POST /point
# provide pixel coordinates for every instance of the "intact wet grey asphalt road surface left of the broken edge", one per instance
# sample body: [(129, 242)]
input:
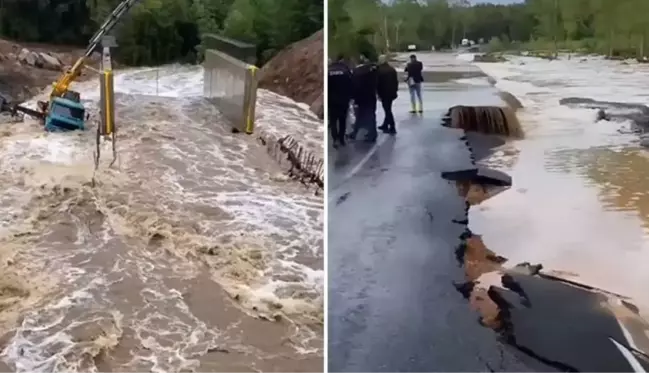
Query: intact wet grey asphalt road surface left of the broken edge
[(392, 306)]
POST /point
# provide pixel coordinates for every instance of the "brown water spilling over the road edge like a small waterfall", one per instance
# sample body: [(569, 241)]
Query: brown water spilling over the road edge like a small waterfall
[(490, 120)]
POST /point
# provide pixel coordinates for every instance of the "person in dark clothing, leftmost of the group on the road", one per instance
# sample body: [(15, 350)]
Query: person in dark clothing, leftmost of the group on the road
[(338, 99)]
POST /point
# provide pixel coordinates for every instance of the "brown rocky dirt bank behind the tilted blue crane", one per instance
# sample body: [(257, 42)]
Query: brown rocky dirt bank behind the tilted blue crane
[(27, 68)]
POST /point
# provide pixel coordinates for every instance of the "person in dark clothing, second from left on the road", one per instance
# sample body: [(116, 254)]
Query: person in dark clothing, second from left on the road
[(365, 81)]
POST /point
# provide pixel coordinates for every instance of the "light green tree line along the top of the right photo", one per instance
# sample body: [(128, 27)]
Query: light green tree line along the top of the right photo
[(612, 27)]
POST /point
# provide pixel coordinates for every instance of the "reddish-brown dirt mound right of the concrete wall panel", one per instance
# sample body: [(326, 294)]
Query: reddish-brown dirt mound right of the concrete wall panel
[(296, 72)]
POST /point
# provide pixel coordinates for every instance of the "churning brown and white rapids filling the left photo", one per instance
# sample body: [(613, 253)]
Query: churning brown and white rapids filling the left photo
[(122, 274)]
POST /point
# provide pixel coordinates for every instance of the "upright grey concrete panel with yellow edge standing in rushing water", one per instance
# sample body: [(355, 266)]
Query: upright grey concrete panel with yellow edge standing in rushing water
[(231, 85)]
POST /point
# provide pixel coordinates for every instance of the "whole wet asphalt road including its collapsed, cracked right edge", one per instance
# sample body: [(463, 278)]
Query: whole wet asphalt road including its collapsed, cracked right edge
[(412, 288)]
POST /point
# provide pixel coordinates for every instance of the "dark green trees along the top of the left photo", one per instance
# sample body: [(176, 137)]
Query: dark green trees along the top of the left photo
[(159, 31)]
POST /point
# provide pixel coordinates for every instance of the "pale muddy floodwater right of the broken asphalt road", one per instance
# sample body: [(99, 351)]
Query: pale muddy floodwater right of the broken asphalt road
[(579, 204)]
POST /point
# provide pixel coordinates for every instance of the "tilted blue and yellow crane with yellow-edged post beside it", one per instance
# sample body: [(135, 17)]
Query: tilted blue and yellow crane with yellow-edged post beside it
[(64, 110)]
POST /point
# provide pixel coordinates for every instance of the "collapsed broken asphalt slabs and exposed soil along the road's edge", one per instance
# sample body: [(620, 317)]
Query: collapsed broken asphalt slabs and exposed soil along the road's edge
[(566, 326)]
